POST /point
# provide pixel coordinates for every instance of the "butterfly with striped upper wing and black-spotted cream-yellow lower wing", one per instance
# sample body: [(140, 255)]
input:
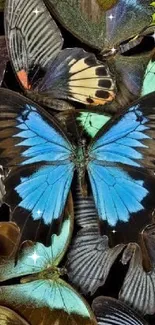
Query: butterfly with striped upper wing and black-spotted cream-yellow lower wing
[(46, 72)]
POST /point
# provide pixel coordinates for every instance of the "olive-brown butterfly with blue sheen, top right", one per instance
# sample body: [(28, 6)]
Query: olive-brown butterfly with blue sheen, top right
[(114, 28)]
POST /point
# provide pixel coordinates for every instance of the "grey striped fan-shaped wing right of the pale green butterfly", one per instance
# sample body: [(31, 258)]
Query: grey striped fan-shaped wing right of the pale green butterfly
[(90, 259)]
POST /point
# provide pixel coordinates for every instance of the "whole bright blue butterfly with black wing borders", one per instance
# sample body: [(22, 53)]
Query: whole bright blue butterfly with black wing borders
[(119, 162)]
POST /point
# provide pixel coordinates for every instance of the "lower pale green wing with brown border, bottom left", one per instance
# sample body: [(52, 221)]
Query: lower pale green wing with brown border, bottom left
[(48, 302)]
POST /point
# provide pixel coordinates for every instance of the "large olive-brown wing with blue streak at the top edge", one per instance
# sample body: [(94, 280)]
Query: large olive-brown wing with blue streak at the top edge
[(97, 25)]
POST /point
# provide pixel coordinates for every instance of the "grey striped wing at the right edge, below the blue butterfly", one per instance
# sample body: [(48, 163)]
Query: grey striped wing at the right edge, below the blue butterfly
[(138, 289)]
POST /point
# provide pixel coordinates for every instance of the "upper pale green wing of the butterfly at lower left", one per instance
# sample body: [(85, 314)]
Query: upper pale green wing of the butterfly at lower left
[(36, 258)]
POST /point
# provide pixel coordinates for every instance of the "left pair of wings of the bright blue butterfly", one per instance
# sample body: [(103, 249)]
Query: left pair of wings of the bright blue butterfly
[(39, 156)]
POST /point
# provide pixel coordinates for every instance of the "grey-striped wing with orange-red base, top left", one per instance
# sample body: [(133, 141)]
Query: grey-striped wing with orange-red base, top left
[(33, 38)]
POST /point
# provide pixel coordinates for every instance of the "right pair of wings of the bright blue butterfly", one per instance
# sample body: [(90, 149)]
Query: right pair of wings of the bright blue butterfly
[(121, 165)]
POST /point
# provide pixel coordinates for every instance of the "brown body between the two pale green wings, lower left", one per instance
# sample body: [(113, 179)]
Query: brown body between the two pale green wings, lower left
[(51, 273)]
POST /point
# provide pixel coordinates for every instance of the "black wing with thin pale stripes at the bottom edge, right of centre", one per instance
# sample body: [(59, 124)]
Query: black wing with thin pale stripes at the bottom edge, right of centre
[(111, 311)]
